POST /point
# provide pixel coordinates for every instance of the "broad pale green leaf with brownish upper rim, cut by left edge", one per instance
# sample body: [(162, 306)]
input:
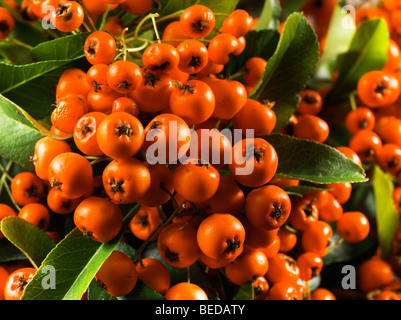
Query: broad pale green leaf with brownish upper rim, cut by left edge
[(18, 135)]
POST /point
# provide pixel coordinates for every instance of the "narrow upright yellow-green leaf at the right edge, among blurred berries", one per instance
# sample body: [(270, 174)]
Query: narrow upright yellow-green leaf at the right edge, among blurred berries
[(386, 213)]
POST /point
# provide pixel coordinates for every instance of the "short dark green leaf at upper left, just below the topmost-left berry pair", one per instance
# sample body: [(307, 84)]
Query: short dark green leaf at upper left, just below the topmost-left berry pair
[(65, 48)]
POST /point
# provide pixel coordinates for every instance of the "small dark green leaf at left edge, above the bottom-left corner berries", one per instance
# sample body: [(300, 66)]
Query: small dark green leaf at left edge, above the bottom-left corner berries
[(31, 240)]
